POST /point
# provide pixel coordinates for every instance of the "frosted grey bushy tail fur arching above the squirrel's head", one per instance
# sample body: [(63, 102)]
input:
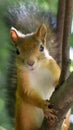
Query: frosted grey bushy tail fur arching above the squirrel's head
[(26, 17)]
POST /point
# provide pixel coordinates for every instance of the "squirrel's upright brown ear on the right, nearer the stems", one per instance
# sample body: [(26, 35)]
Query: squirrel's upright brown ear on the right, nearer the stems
[(41, 32)]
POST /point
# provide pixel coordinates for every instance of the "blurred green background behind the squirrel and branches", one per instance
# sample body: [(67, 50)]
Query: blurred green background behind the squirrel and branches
[(4, 53)]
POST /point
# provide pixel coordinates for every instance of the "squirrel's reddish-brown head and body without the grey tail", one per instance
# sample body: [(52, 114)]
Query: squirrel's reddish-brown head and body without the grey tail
[(37, 77)]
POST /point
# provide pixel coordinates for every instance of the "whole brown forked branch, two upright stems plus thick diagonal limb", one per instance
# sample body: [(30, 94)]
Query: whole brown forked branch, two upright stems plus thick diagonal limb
[(62, 98)]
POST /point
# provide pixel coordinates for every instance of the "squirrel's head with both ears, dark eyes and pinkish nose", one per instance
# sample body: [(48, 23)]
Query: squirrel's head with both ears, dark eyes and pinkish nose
[(30, 48)]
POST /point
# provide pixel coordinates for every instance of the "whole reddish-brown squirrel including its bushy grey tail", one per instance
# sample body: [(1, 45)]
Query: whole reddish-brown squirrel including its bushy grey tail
[(36, 71)]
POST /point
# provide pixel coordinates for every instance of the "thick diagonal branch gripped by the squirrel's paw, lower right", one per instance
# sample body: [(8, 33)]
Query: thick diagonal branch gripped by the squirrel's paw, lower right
[(62, 100)]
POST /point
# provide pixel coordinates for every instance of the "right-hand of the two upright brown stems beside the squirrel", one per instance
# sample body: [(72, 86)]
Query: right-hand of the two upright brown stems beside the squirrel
[(66, 36)]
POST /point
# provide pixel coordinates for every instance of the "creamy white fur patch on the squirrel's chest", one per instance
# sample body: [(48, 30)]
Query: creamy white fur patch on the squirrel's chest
[(42, 81)]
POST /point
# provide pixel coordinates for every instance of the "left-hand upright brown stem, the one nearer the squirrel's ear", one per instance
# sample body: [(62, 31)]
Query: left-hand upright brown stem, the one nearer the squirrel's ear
[(60, 27)]
